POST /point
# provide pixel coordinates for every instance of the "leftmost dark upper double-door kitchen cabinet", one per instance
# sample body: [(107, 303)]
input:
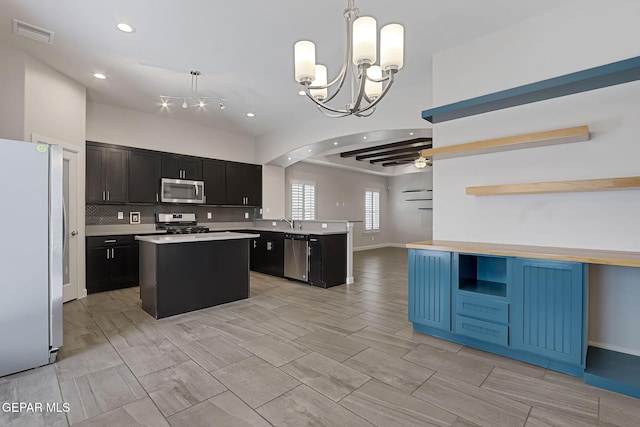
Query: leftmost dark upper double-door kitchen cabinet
[(106, 174)]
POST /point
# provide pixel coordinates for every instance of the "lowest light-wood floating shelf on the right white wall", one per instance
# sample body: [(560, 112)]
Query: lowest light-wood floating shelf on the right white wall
[(583, 185)]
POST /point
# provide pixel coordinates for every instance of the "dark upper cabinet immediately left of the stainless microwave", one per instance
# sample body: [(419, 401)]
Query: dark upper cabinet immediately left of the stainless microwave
[(145, 169)]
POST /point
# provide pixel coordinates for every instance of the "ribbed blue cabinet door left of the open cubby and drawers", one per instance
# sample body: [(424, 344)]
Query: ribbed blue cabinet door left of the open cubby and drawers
[(430, 288)]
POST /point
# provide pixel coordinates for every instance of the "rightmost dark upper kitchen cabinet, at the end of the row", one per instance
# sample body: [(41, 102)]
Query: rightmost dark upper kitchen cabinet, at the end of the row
[(243, 184)]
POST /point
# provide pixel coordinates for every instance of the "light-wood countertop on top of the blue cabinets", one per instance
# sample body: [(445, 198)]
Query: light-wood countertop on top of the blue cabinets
[(591, 256)]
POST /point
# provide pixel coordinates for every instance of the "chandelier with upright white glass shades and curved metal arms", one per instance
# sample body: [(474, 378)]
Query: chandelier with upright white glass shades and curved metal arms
[(369, 82)]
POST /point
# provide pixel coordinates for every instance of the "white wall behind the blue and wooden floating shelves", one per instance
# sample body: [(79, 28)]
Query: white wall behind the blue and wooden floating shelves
[(582, 35)]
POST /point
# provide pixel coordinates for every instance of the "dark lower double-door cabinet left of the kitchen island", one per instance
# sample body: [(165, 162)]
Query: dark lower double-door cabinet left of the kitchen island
[(112, 263)]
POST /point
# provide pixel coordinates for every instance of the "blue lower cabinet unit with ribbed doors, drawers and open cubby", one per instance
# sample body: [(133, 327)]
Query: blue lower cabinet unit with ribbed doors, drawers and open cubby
[(528, 309)]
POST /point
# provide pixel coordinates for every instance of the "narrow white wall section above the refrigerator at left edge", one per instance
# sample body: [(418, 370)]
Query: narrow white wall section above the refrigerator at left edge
[(12, 90)]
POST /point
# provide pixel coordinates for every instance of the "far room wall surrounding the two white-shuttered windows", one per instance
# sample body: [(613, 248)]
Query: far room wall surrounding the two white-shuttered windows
[(340, 196)]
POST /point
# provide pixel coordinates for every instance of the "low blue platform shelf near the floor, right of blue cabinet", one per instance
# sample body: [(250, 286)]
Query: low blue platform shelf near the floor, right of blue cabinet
[(613, 371)]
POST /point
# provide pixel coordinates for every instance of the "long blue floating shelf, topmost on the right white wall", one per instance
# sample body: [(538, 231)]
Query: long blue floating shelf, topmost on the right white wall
[(612, 74)]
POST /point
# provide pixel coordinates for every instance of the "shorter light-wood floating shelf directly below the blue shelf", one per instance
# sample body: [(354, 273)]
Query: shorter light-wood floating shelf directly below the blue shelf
[(516, 142)]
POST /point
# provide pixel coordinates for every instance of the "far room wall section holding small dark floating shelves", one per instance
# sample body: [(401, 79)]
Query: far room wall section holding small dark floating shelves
[(408, 223)]
